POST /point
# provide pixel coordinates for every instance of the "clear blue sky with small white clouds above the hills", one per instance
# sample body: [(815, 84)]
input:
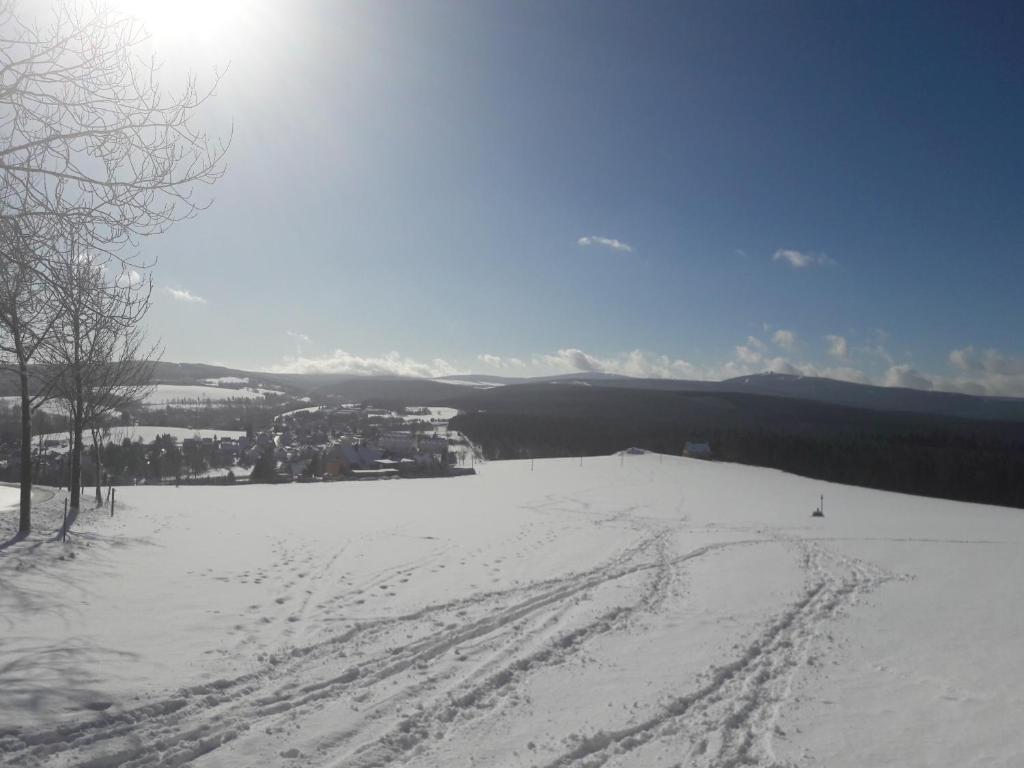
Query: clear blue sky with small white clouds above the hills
[(689, 190)]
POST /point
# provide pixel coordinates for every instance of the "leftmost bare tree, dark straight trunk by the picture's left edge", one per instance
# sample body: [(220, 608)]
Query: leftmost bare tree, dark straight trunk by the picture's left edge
[(27, 318)]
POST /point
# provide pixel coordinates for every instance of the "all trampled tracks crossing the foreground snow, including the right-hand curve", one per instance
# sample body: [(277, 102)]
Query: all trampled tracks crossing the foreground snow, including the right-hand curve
[(419, 677)]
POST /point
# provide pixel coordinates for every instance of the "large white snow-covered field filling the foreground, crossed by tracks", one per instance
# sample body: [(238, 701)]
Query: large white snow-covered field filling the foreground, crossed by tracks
[(634, 612)]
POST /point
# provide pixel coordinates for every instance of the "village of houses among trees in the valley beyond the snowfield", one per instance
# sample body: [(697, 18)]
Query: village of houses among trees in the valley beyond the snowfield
[(347, 442)]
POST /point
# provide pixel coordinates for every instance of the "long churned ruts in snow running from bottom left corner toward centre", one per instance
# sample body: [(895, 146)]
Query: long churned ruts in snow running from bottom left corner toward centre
[(180, 729)]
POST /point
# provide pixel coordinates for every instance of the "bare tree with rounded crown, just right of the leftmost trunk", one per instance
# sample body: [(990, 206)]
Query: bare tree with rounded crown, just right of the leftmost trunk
[(97, 352)]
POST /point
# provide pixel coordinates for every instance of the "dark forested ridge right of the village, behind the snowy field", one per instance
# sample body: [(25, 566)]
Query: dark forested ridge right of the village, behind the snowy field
[(965, 460)]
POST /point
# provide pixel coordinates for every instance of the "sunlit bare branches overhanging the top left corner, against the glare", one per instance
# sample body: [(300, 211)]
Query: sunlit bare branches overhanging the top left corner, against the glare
[(89, 138)]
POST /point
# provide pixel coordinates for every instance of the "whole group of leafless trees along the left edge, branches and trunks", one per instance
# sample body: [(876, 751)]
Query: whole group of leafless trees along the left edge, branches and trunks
[(95, 155)]
